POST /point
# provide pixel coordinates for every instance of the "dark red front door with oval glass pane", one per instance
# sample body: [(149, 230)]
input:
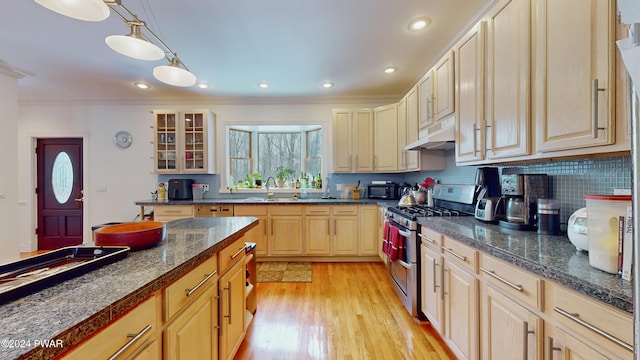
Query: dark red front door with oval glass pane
[(59, 167)]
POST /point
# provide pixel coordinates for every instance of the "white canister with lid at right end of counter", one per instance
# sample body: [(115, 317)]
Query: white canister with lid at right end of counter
[(603, 214)]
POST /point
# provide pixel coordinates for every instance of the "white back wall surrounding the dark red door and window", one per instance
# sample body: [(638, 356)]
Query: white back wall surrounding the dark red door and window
[(128, 174)]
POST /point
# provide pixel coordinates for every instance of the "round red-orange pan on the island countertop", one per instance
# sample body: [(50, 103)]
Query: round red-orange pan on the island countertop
[(136, 235)]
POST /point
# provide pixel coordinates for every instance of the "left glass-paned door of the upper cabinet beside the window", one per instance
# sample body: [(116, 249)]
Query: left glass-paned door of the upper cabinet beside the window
[(166, 149)]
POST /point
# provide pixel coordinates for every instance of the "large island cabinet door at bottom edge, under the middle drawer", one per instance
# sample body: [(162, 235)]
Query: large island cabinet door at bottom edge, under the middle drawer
[(194, 334)]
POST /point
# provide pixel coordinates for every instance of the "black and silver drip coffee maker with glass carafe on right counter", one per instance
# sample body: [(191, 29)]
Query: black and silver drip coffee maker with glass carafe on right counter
[(520, 194)]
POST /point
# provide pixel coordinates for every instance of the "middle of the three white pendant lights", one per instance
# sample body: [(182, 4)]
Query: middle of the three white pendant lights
[(135, 45)]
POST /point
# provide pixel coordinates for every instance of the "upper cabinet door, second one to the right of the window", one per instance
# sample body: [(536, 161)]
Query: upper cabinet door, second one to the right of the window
[(363, 139)]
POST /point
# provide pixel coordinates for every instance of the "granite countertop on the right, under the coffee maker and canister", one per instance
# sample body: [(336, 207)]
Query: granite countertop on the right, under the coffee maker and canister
[(551, 257)]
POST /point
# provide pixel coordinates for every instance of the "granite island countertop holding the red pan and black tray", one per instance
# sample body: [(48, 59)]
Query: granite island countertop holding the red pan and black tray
[(74, 309)]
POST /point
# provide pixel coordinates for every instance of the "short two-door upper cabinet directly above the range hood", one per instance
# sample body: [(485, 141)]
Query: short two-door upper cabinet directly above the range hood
[(436, 93)]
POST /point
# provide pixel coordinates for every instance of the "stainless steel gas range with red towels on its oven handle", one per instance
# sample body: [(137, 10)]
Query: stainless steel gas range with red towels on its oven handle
[(449, 200)]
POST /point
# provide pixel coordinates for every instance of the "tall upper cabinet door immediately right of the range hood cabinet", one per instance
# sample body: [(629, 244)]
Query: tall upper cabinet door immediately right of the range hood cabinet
[(470, 125)]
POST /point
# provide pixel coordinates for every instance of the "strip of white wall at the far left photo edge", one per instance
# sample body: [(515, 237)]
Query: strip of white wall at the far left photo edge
[(9, 207)]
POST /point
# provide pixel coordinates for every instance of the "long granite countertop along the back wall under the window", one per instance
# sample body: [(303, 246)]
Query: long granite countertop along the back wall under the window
[(261, 200)]
